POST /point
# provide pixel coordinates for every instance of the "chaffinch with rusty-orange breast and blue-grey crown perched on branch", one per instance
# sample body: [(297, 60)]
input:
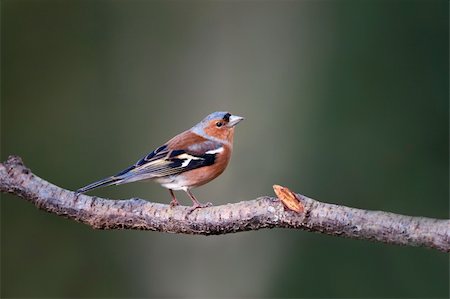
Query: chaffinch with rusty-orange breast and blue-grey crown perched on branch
[(188, 160)]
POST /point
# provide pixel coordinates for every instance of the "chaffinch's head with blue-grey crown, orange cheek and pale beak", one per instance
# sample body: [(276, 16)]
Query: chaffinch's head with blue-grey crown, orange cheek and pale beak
[(219, 125)]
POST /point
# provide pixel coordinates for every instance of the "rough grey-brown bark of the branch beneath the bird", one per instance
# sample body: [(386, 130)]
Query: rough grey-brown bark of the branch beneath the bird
[(263, 212)]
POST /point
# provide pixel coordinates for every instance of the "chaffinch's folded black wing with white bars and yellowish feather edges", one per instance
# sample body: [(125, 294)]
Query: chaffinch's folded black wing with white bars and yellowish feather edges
[(165, 161)]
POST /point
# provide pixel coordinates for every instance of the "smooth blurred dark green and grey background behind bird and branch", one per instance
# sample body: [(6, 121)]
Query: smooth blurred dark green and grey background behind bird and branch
[(345, 102)]
